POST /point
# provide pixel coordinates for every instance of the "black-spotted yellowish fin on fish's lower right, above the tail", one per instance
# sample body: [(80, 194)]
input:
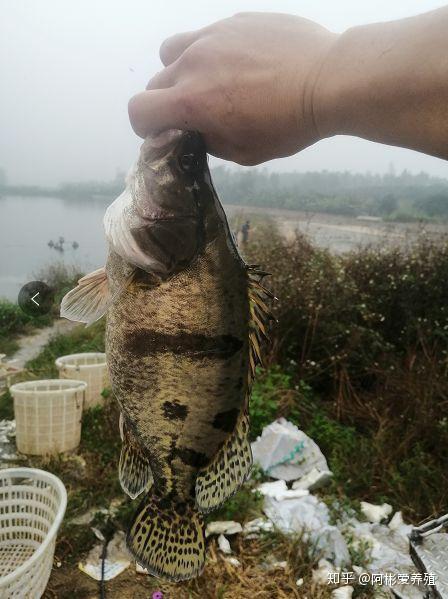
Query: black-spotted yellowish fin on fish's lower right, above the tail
[(228, 470)]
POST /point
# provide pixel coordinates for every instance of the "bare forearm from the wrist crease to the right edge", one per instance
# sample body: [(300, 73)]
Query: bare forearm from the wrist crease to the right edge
[(388, 82)]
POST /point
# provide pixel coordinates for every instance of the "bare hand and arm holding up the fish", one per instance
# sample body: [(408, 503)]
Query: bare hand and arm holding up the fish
[(260, 86)]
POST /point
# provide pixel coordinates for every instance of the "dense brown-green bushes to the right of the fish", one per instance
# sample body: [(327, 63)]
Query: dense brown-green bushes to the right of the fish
[(368, 332)]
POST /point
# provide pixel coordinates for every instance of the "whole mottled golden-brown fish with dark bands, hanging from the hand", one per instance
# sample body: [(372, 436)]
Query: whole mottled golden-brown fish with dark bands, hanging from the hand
[(186, 319)]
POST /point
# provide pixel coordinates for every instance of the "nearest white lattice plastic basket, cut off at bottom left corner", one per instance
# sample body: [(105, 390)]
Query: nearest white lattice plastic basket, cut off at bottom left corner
[(32, 506)]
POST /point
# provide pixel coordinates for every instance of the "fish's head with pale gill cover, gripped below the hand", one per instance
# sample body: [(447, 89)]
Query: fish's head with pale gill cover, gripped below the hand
[(157, 223)]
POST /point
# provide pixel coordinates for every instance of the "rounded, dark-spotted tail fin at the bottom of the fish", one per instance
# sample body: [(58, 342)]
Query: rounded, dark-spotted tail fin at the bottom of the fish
[(167, 538)]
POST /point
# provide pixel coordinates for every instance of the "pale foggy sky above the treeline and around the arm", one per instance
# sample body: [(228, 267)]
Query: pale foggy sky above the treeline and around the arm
[(68, 69)]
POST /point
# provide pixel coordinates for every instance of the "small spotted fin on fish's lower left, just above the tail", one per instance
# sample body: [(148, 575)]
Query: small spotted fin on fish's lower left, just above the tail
[(134, 470)]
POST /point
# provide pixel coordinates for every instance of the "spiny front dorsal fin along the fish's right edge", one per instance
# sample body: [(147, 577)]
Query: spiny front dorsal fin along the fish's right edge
[(260, 316)]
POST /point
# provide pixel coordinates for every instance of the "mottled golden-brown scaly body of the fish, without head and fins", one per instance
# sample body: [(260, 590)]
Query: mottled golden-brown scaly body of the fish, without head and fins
[(192, 380)]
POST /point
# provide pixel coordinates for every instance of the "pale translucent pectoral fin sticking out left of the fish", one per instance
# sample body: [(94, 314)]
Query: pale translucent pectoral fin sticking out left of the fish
[(89, 300)]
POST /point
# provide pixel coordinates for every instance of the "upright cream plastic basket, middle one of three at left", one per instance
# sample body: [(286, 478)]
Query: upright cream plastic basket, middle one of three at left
[(48, 415)]
